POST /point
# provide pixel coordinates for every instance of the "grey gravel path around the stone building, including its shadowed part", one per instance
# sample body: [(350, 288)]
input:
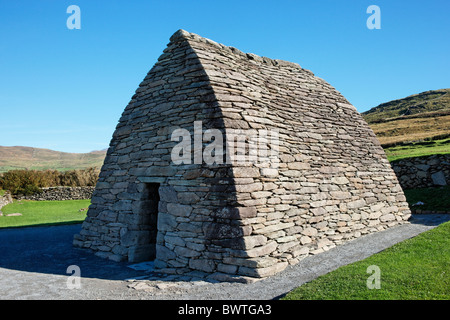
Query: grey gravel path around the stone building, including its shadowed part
[(34, 262)]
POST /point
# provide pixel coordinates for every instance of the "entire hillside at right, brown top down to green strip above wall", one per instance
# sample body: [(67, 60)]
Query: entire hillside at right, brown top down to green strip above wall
[(414, 126)]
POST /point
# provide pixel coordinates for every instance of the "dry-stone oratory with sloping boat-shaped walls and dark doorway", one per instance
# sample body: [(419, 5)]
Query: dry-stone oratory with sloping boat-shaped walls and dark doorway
[(172, 189)]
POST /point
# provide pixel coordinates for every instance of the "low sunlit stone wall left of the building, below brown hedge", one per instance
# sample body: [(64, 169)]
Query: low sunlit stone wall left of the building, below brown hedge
[(61, 193)]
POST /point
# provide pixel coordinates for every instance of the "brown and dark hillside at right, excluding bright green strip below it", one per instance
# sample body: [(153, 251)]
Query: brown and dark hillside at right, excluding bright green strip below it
[(419, 117)]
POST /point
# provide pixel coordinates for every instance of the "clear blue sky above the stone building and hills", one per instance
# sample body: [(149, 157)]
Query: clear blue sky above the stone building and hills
[(66, 89)]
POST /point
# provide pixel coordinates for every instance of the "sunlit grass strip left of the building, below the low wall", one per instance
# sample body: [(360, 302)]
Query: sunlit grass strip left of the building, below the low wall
[(43, 213)]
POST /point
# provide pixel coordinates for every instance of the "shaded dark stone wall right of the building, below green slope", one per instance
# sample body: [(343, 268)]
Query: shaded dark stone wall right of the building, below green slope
[(423, 172)]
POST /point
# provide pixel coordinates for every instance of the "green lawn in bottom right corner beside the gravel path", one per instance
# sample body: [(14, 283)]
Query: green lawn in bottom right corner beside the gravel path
[(415, 269)]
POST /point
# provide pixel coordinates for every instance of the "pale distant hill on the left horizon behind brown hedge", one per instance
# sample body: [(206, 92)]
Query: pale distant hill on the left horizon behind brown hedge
[(42, 159)]
